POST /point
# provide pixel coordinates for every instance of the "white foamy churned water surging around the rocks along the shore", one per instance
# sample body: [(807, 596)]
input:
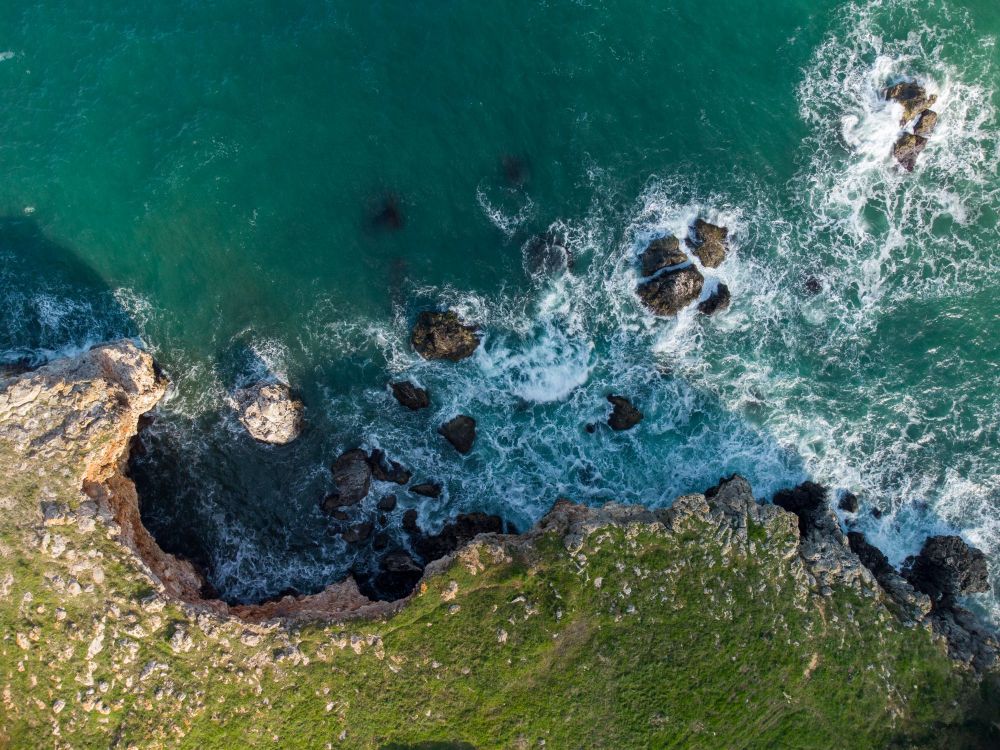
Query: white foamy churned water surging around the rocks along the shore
[(783, 386)]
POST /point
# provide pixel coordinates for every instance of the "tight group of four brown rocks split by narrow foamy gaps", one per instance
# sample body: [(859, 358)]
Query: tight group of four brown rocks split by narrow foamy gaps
[(671, 282)]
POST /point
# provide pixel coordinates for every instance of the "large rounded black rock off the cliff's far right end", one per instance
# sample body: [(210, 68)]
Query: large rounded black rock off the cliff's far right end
[(947, 567)]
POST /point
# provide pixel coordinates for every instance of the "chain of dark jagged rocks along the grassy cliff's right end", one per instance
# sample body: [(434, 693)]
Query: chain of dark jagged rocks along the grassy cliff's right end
[(924, 590)]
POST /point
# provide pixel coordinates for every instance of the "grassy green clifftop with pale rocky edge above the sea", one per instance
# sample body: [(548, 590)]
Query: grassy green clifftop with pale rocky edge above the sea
[(719, 622)]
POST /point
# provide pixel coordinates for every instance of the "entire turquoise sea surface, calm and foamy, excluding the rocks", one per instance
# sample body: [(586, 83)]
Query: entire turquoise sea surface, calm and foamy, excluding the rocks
[(205, 176)]
